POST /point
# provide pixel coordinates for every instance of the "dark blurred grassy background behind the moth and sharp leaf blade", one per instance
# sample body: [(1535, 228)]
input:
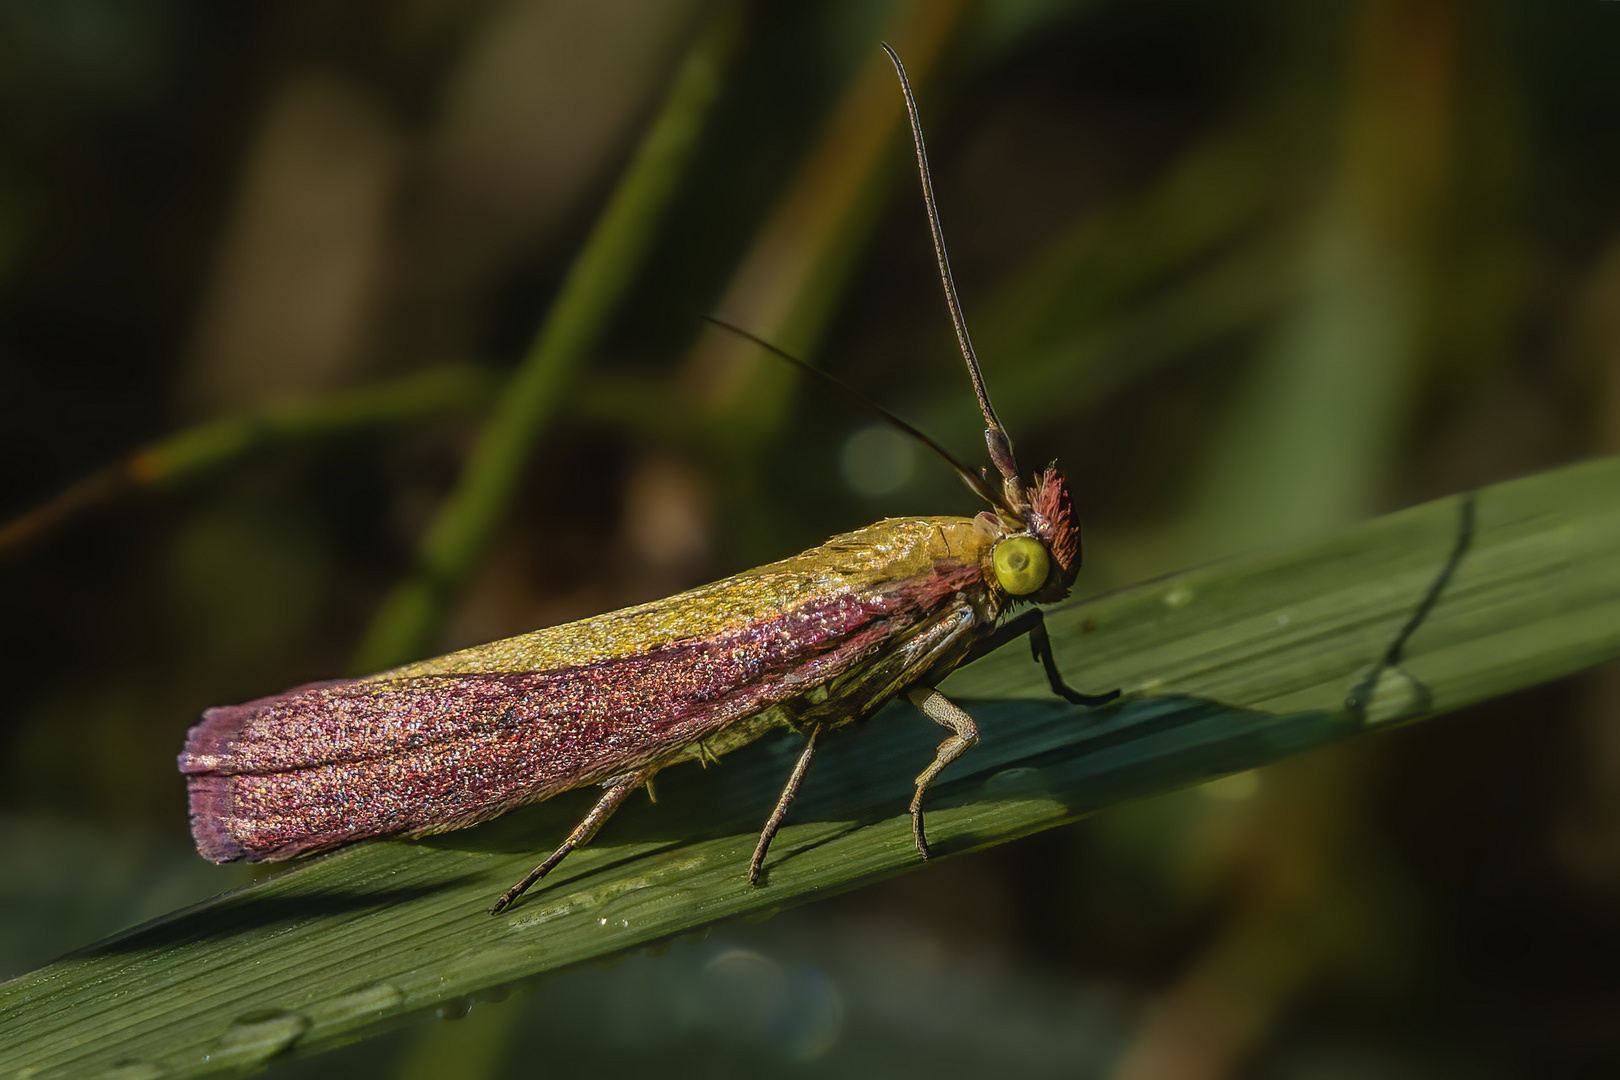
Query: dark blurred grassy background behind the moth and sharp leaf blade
[(1250, 271)]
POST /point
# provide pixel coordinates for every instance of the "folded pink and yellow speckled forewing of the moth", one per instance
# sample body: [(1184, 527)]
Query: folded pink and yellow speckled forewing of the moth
[(459, 739)]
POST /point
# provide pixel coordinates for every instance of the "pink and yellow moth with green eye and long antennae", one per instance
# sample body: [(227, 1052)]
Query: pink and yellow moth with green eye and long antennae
[(812, 644)]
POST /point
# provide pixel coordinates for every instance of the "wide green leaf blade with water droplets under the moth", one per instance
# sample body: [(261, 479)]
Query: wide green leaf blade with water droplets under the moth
[(1226, 668)]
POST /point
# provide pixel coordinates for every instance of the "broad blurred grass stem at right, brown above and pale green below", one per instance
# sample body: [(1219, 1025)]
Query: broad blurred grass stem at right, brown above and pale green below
[(1311, 444)]
